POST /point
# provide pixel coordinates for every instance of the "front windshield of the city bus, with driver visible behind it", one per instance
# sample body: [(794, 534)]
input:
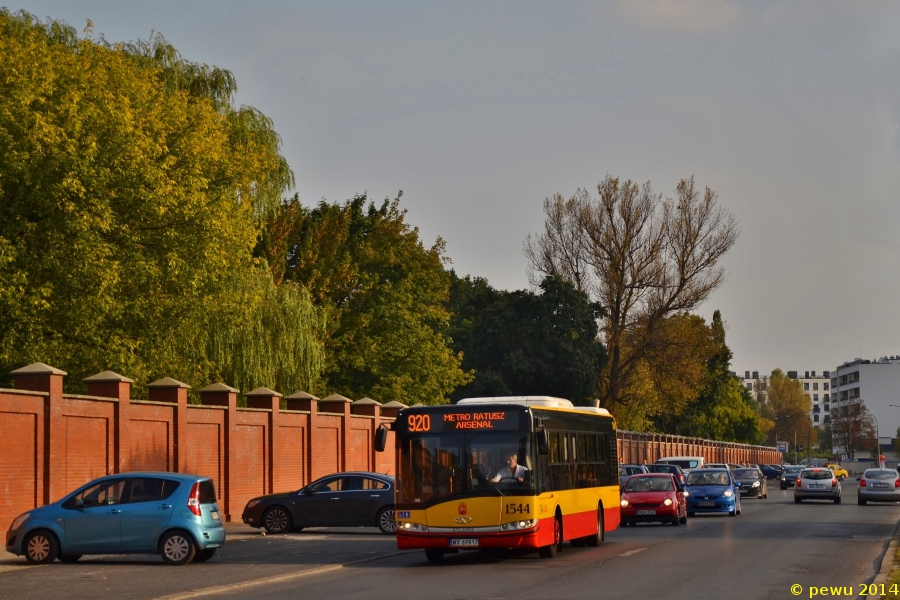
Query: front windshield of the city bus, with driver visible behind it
[(441, 466)]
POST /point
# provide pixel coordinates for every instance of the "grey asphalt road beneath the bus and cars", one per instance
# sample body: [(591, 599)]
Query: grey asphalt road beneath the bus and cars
[(759, 554)]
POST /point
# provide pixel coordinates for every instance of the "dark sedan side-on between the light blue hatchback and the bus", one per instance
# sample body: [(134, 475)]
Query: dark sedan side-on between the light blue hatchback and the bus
[(351, 499)]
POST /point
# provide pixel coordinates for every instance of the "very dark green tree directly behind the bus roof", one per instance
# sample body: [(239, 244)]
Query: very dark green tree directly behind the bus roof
[(521, 343)]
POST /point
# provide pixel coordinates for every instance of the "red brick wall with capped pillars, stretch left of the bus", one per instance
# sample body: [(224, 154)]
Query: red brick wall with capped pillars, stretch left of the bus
[(54, 442)]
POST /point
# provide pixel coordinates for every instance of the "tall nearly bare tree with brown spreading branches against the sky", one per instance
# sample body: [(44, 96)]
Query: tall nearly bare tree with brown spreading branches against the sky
[(642, 257)]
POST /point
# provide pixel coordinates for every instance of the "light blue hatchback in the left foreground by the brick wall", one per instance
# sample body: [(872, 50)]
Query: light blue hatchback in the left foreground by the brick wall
[(170, 514)]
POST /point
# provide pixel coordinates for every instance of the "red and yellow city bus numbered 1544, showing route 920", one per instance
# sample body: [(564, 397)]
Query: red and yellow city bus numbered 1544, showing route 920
[(509, 472)]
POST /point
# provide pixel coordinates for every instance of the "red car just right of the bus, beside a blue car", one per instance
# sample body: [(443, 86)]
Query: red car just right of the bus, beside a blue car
[(653, 497)]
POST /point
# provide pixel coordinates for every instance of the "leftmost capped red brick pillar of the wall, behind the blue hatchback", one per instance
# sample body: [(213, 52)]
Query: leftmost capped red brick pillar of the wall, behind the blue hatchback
[(39, 377)]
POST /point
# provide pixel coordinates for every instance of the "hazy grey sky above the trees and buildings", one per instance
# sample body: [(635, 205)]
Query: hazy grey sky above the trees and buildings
[(479, 110)]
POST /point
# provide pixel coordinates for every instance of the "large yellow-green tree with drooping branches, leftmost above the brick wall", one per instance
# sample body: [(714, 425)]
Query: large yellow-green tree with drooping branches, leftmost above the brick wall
[(132, 191)]
